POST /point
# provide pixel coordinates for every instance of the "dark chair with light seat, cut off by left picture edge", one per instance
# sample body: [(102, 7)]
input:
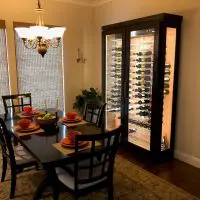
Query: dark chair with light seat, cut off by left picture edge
[(9, 157)]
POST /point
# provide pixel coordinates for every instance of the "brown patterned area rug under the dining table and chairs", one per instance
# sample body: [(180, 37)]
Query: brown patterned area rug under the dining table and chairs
[(146, 185)]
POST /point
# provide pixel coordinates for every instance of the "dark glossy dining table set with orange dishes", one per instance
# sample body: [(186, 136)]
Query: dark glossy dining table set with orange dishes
[(41, 147)]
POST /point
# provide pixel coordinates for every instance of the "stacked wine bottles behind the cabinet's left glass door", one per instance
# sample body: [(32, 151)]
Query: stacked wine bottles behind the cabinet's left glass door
[(114, 67)]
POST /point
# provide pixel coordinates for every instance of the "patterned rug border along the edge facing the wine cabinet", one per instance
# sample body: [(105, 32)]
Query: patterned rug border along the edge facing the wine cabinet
[(155, 177)]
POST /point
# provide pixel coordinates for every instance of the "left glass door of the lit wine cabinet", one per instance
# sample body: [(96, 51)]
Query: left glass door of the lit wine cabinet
[(113, 80)]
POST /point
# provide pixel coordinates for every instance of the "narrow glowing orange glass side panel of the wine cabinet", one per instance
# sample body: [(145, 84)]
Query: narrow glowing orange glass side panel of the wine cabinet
[(168, 88)]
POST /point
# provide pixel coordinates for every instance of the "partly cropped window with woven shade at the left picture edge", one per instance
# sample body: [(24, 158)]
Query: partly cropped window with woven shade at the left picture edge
[(4, 77)]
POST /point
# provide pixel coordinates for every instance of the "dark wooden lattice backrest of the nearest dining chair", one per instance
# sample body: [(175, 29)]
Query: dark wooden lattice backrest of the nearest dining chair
[(101, 157)]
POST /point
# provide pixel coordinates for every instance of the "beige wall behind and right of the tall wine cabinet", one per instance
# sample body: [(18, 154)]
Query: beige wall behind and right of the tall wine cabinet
[(187, 129)]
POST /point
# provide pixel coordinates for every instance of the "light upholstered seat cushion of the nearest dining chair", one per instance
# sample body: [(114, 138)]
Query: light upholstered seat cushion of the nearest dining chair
[(65, 175)]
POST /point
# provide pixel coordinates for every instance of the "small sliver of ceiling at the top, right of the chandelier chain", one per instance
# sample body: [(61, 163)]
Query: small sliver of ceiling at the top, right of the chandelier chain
[(86, 2)]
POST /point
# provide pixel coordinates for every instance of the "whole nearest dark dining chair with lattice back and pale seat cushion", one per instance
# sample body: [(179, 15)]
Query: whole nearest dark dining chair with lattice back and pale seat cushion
[(88, 172)]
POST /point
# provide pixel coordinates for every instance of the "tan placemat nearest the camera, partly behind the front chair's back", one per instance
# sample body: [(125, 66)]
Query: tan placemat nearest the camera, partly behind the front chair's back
[(67, 151)]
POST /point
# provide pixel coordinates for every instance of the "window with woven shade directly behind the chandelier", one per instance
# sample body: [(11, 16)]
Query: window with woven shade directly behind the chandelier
[(42, 77)]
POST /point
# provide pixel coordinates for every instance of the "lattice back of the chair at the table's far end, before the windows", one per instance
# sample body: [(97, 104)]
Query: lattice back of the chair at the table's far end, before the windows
[(17, 101)]
